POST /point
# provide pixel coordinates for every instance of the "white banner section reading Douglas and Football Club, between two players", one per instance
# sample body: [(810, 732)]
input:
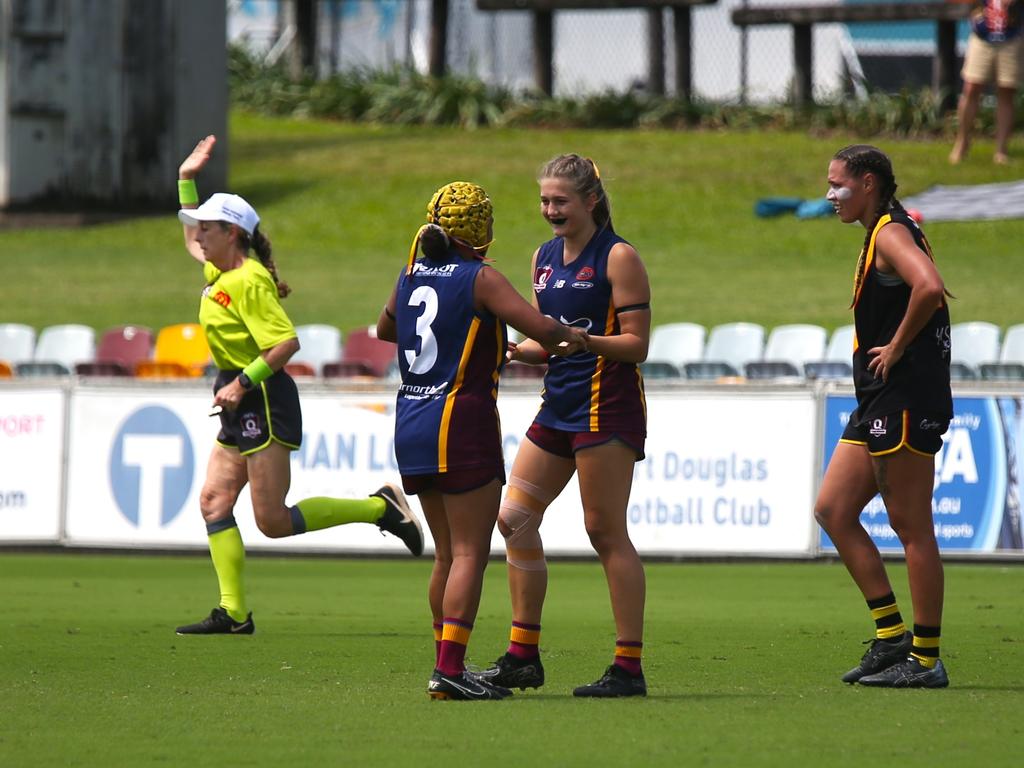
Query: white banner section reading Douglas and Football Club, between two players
[(730, 475)]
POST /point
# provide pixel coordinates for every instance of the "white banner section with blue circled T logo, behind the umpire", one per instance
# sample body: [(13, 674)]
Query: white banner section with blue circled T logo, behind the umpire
[(138, 462)]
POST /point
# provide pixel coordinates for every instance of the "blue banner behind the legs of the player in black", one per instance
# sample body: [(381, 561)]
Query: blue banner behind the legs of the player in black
[(976, 502)]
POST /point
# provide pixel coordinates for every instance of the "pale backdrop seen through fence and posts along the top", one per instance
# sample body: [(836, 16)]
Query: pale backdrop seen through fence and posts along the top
[(601, 51)]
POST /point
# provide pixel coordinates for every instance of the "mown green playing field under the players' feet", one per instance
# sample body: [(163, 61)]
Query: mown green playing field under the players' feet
[(743, 663)]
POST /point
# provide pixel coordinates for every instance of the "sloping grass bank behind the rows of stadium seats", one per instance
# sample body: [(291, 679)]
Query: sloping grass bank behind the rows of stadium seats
[(343, 202)]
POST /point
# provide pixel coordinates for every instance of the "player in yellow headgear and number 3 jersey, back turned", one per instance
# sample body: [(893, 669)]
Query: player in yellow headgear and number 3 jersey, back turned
[(448, 315)]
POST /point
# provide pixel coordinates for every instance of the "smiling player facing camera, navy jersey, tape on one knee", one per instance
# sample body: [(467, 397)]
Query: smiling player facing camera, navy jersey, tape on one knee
[(592, 422)]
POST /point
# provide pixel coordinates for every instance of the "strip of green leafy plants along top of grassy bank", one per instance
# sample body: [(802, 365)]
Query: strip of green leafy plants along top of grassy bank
[(404, 97)]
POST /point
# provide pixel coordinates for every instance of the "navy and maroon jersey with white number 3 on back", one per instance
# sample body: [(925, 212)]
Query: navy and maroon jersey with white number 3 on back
[(451, 357)]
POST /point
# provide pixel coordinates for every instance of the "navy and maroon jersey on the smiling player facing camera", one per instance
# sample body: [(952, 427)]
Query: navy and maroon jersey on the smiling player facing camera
[(586, 393)]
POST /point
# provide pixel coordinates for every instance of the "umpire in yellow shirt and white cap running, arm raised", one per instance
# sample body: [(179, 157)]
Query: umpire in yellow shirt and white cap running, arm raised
[(251, 339)]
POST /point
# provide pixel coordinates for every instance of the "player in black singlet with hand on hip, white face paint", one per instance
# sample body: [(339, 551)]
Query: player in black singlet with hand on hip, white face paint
[(902, 376)]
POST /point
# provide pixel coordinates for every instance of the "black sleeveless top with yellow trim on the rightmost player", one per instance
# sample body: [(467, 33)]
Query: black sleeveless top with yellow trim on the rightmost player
[(921, 379)]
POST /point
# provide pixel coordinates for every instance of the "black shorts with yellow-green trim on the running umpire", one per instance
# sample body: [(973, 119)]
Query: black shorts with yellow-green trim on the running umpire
[(270, 412)]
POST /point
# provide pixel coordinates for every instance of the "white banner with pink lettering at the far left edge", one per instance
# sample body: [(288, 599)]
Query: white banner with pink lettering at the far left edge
[(32, 425)]
